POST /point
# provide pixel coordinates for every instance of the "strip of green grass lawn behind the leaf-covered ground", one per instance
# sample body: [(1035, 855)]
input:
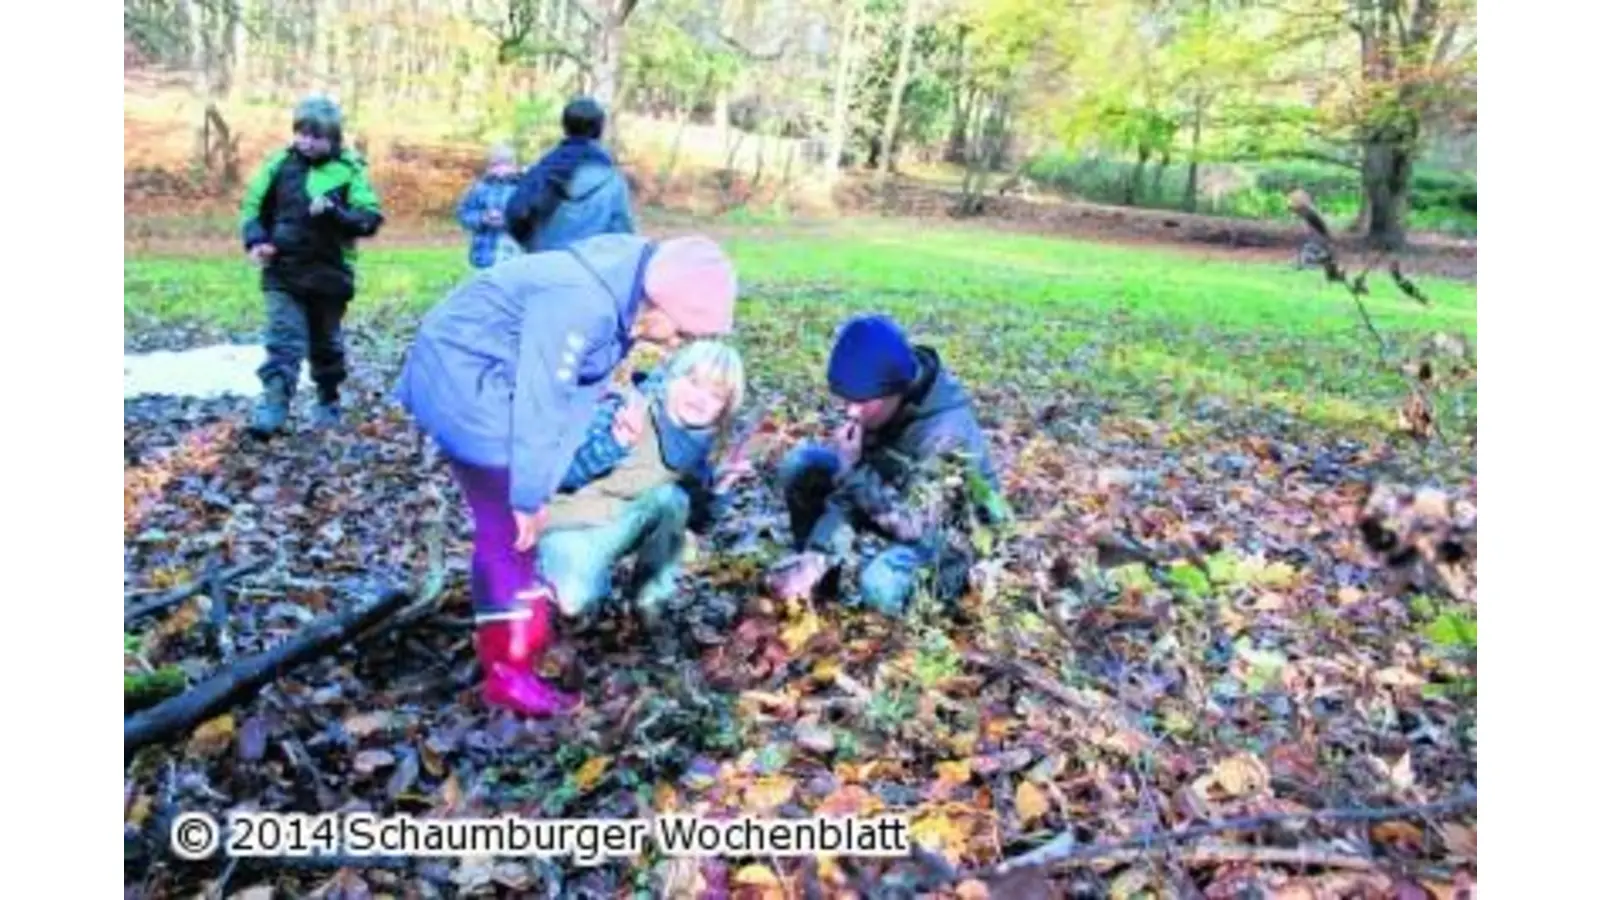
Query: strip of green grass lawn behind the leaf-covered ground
[(1154, 331)]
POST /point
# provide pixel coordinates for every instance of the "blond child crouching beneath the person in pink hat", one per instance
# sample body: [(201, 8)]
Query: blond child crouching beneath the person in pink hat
[(641, 481)]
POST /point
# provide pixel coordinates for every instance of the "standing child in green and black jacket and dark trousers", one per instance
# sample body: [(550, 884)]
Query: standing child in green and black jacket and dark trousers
[(303, 212)]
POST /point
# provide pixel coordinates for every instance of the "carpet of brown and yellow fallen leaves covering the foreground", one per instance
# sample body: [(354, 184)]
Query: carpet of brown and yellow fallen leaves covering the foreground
[(1137, 701)]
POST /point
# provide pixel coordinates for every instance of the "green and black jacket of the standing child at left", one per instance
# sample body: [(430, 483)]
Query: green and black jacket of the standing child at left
[(314, 254)]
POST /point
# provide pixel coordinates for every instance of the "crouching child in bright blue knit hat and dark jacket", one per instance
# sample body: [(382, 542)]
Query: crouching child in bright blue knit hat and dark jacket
[(905, 414)]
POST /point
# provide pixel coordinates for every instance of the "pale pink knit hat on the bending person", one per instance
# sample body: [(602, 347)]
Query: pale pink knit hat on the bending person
[(692, 281)]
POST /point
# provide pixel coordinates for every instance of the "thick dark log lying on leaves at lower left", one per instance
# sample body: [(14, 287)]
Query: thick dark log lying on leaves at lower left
[(247, 677)]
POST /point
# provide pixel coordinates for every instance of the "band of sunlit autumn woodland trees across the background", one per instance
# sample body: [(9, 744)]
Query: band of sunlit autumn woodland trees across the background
[(1122, 90)]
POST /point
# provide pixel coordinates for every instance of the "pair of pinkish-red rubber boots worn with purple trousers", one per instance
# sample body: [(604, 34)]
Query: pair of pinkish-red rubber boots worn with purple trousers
[(510, 648)]
